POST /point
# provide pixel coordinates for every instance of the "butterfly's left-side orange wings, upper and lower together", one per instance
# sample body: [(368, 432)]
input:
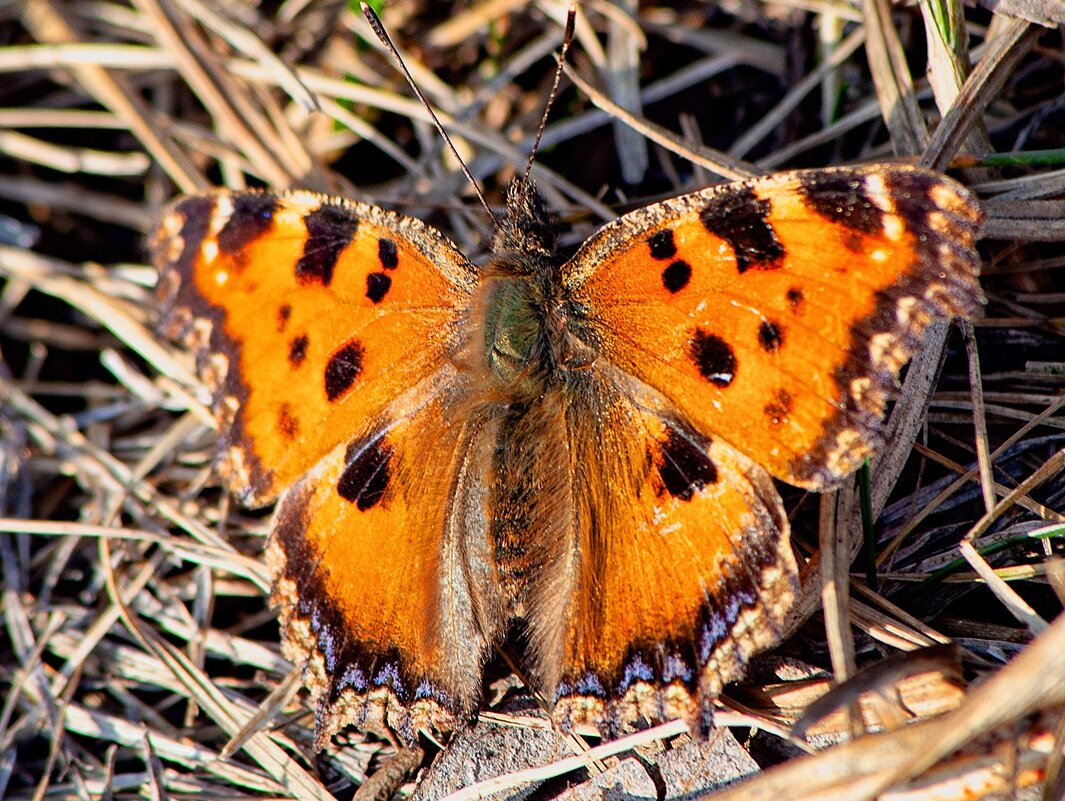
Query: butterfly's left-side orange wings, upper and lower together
[(327, 331)]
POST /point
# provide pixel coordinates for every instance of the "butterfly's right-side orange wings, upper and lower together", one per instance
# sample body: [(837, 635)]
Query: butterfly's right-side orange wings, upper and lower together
[(744, 332)]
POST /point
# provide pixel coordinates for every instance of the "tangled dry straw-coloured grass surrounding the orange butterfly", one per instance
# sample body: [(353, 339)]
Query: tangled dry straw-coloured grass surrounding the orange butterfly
[(138, 639)]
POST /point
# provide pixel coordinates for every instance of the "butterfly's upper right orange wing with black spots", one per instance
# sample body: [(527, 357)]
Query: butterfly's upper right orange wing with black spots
[(776, 314)]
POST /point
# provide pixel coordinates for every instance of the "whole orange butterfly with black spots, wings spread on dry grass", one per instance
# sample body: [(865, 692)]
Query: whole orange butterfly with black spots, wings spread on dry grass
[(579, 453)]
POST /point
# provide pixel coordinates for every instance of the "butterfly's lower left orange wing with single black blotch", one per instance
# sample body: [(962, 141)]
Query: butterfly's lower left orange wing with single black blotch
[(372, 550)]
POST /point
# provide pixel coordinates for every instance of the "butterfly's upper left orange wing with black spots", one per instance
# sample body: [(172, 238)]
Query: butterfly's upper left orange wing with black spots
[(313, 316)]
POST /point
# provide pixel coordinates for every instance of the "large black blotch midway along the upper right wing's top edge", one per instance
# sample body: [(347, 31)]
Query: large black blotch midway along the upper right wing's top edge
[(742, 219)]
